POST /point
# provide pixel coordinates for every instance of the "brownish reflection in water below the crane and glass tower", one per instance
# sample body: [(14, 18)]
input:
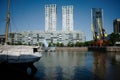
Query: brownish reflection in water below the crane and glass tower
[(100, 64)]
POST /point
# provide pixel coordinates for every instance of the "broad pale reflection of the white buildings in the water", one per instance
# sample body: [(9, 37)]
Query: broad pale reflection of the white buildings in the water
[(61, 65)]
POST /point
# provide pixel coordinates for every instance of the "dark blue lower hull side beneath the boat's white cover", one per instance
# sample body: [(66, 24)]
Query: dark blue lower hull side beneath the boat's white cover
[(19, 59)]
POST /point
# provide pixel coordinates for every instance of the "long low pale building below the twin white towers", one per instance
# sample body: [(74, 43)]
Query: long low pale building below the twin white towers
[(35, 37)]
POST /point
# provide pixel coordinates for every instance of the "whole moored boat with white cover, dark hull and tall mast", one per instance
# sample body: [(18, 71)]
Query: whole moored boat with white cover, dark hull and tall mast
[(14, 54)]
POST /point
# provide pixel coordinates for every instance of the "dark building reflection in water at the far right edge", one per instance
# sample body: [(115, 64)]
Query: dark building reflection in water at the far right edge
[(114, 69)]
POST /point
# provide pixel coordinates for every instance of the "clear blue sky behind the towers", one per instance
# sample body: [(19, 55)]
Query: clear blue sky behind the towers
[(30, 14)]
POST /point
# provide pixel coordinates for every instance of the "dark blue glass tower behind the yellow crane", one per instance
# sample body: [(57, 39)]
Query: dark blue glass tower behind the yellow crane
[(97, 23)]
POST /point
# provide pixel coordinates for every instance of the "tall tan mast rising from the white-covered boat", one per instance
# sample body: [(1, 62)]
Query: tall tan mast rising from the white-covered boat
[(7, 23)]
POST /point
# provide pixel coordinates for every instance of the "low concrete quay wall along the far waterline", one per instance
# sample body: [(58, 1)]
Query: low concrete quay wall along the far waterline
[(106, 48)]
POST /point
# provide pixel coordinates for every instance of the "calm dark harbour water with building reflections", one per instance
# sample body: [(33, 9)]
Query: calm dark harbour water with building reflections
[(72, 66)]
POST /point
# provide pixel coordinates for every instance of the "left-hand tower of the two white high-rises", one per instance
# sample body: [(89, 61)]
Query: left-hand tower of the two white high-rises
[(50, 17)]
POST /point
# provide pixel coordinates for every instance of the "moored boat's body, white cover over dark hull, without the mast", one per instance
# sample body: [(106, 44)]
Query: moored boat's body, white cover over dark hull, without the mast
[(19, 54)]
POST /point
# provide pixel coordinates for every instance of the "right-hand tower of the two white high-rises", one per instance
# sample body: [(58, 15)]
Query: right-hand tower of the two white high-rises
[(67, 18)]
